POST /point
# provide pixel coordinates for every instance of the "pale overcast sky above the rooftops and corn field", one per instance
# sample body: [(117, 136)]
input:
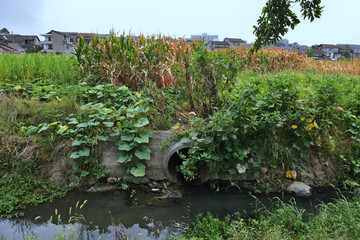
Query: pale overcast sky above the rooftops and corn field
[(226, 18)]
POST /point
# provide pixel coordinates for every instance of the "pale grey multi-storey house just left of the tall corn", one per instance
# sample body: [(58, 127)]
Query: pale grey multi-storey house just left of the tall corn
[(59, 42)]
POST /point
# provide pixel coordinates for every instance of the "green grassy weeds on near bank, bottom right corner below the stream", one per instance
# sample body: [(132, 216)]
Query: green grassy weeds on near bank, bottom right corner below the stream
[(337, 220)]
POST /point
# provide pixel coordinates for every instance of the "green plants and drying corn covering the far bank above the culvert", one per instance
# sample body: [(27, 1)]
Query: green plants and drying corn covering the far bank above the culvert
[(246, 116)]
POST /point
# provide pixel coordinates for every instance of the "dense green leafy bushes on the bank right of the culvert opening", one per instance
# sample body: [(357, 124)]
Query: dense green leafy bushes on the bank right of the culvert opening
[(277, 120)]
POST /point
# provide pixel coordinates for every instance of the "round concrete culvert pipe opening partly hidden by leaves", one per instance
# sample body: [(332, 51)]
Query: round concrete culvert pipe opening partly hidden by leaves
[(172, 161)]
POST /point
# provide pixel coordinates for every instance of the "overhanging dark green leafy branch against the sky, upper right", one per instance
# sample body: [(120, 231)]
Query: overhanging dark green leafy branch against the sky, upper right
[(277, 16)]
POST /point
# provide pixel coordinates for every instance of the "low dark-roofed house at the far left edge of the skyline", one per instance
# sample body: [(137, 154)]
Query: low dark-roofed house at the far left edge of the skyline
[(20, 42)]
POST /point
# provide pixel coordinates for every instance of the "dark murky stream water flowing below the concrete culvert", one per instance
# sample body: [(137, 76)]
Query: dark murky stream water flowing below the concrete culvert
[(108, 213)]
